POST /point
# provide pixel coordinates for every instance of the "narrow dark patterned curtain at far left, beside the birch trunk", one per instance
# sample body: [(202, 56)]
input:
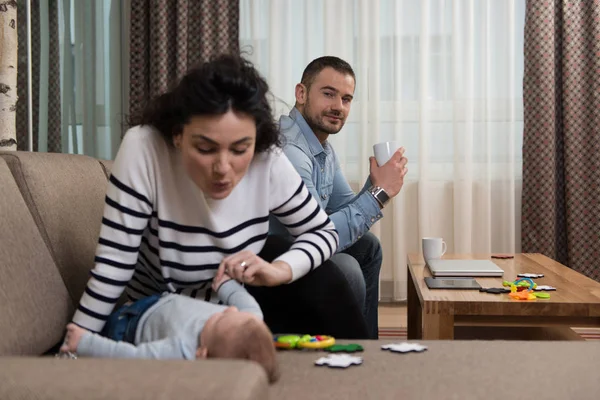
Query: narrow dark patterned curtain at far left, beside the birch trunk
[(53, 100)]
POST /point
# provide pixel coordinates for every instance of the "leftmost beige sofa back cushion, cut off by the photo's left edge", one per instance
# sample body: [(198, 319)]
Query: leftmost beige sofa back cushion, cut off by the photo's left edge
[(34, 302)]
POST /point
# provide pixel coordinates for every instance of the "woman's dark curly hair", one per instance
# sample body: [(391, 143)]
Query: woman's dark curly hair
[(223, 83)]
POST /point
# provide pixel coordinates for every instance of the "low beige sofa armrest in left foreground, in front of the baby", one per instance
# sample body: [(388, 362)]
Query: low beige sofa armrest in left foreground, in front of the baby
[(94, 379)]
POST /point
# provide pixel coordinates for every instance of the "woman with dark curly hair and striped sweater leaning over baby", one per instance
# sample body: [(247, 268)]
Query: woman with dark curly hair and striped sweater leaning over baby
[(189, 199)]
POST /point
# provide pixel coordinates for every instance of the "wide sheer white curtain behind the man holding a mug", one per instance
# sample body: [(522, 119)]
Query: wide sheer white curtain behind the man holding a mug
[(444, 79)]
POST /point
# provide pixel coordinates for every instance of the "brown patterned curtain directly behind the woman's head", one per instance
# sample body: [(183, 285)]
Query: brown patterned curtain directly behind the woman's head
[(170, 36)]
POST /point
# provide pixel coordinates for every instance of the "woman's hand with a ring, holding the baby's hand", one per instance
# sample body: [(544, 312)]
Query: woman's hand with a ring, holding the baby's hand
[(248, 268)]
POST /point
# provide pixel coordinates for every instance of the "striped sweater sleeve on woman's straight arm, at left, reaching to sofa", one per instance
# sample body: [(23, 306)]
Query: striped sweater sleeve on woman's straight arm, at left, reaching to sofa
[(127, 210)]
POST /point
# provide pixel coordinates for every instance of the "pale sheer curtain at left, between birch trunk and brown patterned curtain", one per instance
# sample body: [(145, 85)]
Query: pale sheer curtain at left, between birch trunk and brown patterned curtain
[(93, 66)]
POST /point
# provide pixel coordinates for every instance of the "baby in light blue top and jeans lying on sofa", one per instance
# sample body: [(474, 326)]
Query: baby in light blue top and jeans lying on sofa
[(173, 326)]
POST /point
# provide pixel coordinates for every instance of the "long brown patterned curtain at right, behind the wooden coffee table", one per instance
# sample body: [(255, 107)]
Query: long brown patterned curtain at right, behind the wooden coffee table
[(561, 148)]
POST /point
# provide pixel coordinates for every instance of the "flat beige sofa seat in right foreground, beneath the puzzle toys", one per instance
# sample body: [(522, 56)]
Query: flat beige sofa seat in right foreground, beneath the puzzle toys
[(491, 370)]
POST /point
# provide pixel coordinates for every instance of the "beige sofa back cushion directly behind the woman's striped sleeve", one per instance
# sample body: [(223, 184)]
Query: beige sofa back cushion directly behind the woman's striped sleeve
[(65, 194)]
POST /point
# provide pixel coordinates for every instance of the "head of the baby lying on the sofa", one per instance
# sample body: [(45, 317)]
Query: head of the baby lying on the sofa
[(235, 334)]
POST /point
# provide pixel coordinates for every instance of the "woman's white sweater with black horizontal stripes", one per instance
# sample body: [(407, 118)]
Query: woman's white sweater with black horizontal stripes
[(160, 233)]
